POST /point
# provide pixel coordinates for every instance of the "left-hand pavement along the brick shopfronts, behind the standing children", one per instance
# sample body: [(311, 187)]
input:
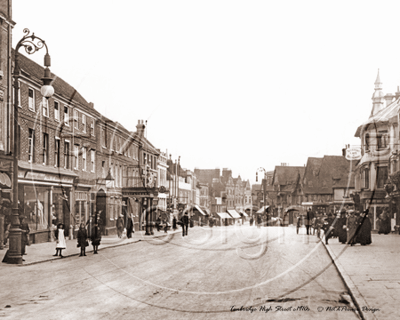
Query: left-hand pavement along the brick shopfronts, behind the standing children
[(43, 252)]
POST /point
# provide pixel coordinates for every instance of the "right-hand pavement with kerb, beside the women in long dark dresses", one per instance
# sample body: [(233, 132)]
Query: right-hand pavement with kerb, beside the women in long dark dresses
[(372, 274)]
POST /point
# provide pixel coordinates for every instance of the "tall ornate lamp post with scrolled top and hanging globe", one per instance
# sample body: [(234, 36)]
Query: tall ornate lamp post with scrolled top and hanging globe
[(31, 43)]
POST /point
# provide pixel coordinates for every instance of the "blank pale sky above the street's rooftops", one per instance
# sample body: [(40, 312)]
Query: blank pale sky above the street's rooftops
[(225, 84)]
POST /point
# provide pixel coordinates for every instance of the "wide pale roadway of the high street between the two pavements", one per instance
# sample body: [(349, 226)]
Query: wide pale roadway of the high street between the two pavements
[(208, 274)]
